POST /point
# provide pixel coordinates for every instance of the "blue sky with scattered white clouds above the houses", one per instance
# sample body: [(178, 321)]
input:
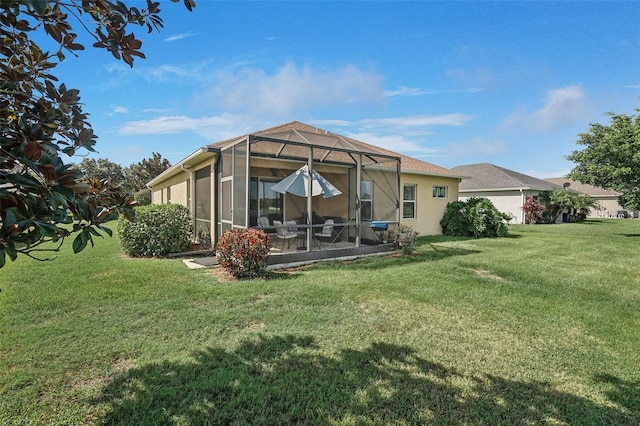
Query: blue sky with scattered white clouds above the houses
[(450, 83)]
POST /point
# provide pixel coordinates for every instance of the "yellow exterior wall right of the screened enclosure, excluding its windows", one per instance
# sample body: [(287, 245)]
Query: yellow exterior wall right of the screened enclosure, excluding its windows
[(429, 210)]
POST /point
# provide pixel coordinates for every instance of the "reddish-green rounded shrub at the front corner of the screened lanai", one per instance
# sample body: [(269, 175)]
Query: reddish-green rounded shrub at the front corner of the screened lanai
[(244, 252)]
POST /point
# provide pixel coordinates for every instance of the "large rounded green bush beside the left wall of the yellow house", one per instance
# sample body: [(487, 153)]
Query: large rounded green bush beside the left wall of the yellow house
[(158, 229)]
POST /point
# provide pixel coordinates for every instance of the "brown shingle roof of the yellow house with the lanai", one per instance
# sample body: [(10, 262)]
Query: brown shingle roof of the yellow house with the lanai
[(296, 129)]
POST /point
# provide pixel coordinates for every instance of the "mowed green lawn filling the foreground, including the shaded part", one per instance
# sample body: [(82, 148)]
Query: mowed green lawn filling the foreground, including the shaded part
[(542, 327)]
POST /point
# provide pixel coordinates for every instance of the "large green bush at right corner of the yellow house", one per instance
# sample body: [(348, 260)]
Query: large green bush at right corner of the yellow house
[(476, 217)]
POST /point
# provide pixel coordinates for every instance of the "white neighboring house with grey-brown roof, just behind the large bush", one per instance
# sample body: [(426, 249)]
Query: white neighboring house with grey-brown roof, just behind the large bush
[(506, 189)]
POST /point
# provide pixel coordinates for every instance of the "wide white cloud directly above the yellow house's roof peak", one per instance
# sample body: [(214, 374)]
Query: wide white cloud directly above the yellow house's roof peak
[(292, 89)]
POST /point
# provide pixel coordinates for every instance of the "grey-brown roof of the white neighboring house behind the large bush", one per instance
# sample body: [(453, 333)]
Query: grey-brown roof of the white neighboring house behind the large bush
[(488, 177)]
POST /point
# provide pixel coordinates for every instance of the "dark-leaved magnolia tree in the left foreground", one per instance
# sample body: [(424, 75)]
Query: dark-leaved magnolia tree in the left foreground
[(42, 120)]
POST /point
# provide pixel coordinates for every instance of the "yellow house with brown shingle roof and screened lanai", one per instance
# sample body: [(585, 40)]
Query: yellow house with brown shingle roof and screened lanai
[(229, 185)]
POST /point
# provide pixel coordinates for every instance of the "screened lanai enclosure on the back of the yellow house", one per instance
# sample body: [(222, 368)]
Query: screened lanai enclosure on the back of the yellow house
[(367, 183)]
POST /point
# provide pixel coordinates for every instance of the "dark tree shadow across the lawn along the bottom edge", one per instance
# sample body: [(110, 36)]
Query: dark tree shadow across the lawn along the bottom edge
[(287, 380)]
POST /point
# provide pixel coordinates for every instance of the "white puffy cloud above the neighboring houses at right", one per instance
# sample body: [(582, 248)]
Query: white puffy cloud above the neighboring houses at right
[(563, 106)]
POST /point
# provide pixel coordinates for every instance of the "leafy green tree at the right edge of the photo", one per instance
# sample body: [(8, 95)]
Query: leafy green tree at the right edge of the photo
[(611, 158)]
